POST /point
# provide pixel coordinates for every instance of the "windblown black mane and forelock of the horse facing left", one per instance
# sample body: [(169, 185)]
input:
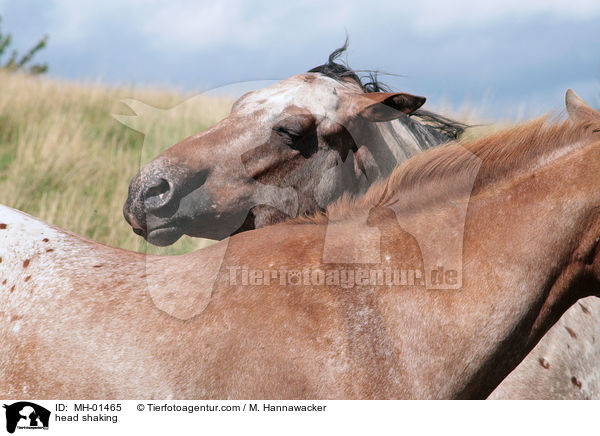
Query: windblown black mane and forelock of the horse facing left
[(370, 83)]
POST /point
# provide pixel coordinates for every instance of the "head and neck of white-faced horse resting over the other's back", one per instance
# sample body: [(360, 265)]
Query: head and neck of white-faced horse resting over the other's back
[(284, 151)]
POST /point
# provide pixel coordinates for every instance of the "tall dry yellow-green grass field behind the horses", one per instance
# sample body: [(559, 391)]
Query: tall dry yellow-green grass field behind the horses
[(65, 159)]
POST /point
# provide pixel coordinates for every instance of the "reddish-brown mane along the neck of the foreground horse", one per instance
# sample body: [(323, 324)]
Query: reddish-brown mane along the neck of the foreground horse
[(444, 173)]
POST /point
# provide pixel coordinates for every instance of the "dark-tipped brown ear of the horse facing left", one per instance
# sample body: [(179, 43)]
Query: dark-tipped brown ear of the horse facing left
[(387, 106)]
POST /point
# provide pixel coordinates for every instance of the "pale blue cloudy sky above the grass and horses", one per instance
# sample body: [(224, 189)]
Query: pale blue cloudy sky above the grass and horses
[(507, 58)]
